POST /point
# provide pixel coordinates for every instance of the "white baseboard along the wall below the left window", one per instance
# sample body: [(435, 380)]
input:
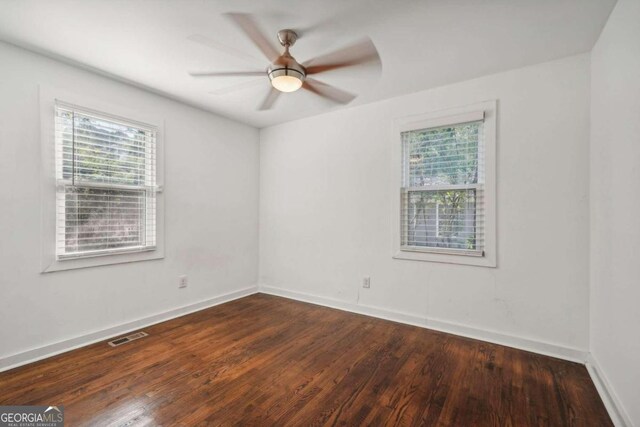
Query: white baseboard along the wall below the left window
[(33, 355)]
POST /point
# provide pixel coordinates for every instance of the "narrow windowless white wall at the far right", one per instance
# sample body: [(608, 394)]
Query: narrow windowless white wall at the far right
[(615, 206)]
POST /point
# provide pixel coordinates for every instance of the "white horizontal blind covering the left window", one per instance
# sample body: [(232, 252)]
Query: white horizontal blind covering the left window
[(106, 183)]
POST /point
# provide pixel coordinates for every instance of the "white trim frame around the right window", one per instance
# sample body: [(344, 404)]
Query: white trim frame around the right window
[(443, 118)]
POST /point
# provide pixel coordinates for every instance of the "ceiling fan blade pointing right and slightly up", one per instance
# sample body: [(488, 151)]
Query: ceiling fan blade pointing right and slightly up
[(362, 52)]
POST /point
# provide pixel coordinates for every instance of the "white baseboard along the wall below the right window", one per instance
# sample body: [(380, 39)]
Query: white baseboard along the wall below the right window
[(547, 349)]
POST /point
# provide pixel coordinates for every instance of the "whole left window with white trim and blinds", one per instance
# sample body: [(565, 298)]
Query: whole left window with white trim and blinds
[(102, 170)]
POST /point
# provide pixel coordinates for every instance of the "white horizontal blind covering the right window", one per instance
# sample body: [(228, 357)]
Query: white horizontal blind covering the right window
[(442, 206)]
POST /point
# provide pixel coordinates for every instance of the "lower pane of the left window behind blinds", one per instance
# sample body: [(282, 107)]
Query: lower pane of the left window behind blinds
[(101, 219)]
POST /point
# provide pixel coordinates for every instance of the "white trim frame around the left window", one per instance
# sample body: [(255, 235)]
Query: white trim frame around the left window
[(49, 262)]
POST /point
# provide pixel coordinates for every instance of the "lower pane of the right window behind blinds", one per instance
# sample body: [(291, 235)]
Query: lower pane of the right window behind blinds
[(440, 219)]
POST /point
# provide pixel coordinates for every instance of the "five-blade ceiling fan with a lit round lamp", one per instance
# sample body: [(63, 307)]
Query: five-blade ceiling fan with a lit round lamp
[(288, 75)]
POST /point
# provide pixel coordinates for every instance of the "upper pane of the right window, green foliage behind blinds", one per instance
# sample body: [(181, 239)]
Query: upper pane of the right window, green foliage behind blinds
[(441, 156)]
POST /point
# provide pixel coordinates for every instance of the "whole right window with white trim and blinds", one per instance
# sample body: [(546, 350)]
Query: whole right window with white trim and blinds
[(446, 208)]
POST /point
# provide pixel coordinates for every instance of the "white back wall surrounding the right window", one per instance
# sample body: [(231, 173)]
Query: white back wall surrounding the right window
[(325, 198)]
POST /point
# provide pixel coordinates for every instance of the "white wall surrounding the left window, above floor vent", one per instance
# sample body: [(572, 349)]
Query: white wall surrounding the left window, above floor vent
[(211, 199)]
